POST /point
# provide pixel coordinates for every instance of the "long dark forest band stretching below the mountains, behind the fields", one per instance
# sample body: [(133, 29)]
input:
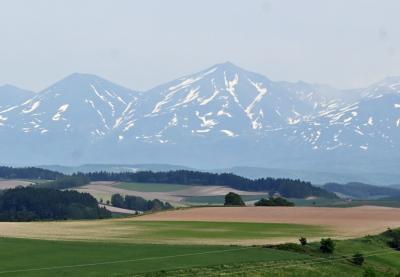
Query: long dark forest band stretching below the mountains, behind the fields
[(286, 187)]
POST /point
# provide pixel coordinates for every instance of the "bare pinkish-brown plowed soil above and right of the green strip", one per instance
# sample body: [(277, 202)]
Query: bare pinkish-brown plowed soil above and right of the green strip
[(346, 222)]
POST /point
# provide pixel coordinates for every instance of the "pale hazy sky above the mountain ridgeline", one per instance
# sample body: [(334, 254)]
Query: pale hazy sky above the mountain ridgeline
[(139, 44)]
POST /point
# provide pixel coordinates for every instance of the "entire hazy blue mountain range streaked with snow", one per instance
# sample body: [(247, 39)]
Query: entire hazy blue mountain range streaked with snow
[(220, 117)]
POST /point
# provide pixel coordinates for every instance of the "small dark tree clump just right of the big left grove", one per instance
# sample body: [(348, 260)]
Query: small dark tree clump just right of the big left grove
[(138, 203)]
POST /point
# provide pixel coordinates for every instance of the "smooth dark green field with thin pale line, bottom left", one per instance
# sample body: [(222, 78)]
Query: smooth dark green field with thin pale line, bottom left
[(56, 258)]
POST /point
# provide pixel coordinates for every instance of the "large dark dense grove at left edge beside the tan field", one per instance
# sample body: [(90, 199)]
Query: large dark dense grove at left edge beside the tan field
[(30, 203)]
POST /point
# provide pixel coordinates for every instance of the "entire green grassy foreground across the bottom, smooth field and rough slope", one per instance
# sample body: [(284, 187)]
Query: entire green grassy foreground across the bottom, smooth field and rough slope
[(59, 258)]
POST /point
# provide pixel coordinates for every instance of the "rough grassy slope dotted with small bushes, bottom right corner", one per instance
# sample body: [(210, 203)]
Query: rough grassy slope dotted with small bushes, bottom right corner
[(380, 261)]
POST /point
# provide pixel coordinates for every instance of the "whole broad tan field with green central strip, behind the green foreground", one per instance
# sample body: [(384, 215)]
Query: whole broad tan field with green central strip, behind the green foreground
[(217, 225)]
